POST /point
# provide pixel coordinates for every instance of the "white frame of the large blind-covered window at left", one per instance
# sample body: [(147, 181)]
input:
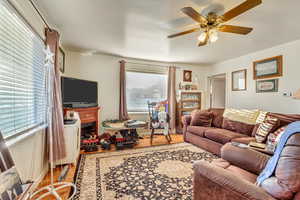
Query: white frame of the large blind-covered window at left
[(43, 125)]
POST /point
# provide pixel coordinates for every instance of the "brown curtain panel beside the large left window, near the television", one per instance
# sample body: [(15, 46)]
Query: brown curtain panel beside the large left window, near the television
[(57, 125)]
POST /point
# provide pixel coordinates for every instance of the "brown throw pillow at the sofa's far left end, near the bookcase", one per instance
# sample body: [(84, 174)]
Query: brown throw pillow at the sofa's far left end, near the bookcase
[(201, 118)]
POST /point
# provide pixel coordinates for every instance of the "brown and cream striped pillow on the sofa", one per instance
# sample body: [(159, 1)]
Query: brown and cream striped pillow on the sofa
[(265, 128)]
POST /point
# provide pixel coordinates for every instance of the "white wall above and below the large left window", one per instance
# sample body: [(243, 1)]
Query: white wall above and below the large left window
[(29, 153)]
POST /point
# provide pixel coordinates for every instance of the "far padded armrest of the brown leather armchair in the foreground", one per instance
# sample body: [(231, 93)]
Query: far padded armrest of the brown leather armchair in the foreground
[(244, 158)]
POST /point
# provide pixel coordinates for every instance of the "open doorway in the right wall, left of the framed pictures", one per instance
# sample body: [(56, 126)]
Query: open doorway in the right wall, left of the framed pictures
[(217, 91)]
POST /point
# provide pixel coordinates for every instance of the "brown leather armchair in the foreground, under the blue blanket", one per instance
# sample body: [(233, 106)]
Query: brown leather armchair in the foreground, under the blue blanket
[(233, 176)]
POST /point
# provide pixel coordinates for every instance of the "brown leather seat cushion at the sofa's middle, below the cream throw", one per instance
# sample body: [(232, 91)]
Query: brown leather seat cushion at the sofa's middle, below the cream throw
[(221, 135)]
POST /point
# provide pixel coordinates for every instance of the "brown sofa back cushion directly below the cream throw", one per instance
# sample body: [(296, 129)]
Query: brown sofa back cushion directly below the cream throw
[(238, 127)]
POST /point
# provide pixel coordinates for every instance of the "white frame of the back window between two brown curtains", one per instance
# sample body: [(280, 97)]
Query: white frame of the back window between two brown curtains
[(156, 72)]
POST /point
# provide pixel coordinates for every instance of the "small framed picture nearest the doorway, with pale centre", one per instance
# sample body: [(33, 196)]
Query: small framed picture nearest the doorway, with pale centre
[(239, 80)]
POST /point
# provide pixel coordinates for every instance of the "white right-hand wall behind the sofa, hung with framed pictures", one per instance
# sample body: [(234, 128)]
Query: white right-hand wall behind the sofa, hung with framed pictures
[(274, 102)]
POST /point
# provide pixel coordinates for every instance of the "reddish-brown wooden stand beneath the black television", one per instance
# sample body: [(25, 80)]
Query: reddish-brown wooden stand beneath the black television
[(89, 119)]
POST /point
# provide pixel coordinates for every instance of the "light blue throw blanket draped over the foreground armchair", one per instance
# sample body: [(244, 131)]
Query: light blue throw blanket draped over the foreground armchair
[(272, 163)]
